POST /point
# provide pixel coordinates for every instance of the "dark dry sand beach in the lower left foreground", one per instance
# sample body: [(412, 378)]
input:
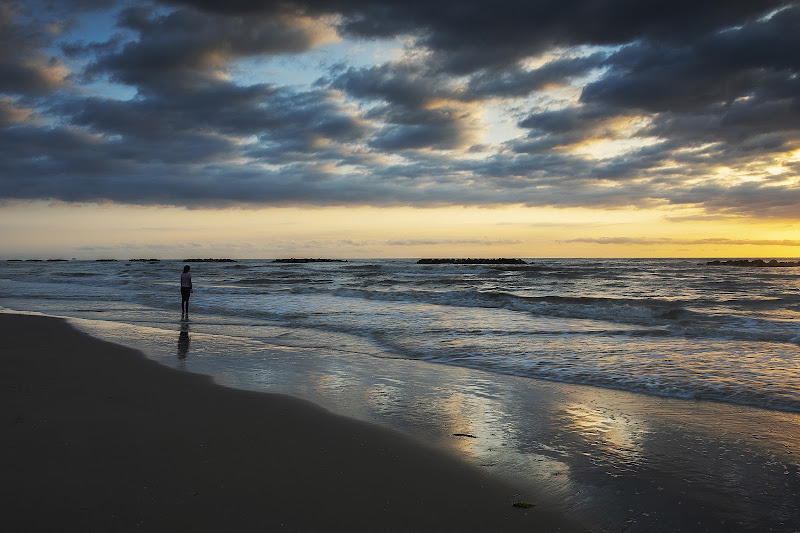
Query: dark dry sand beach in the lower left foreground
[(98, 437)]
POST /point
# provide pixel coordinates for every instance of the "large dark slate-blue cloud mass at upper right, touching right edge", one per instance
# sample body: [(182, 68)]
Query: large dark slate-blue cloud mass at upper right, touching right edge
[(735, 84)]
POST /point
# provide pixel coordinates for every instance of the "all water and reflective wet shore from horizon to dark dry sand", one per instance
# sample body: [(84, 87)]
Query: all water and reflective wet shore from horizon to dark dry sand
[(408, 345)]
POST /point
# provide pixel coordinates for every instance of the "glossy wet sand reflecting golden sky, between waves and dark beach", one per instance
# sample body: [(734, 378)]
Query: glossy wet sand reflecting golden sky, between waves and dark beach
[(620, 460)]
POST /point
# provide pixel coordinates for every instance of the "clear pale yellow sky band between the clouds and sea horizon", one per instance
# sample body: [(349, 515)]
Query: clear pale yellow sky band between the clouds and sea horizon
[(124, 232)]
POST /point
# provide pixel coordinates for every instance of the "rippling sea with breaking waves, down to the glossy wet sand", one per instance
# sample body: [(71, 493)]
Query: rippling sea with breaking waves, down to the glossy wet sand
[(674, 328)]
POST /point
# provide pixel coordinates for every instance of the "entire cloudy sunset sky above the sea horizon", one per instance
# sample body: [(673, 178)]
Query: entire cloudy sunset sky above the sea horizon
[(400, 128)]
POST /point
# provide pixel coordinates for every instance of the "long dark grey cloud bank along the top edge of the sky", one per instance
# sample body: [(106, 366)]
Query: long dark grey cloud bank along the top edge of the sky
[(471, 35)]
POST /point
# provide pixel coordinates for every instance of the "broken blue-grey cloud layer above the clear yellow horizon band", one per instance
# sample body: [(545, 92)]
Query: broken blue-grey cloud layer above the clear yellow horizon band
[(684, 88)]
